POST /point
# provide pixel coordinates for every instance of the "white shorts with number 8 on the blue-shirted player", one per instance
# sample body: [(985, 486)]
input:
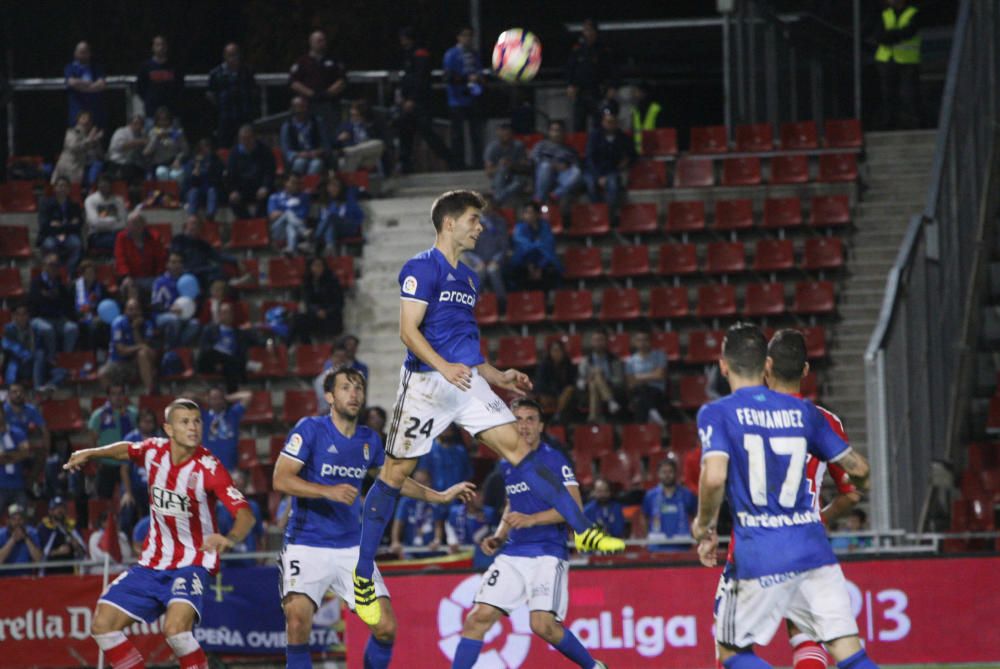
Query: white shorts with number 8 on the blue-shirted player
[(541, 582)]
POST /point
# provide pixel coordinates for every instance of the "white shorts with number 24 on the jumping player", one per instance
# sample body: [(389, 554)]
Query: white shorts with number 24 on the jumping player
[(426, 404)]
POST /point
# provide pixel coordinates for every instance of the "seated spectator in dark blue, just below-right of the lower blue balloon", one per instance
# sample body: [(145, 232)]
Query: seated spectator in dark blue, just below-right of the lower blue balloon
[(131, 353)]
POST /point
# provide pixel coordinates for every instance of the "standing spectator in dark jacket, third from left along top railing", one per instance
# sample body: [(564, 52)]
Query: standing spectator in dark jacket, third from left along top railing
[(231, 89)]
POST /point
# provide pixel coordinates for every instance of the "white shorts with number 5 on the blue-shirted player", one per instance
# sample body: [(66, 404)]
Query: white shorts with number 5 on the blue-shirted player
[(311, 571)]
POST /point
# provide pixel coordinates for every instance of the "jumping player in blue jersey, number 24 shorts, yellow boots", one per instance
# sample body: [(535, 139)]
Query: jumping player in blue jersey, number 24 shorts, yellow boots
[(445, 379)]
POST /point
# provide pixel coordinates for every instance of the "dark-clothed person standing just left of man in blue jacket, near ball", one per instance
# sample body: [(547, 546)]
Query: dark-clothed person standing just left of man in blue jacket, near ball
[(414, 96)]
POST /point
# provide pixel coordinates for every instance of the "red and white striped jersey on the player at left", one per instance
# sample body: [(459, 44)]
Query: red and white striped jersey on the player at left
[(181, 502)]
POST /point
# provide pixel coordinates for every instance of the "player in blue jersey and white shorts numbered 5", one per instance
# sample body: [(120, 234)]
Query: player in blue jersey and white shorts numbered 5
[(322, 466)]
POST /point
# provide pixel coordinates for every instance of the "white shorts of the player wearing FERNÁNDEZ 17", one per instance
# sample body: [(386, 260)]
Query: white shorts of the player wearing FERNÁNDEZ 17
[(749, 611)]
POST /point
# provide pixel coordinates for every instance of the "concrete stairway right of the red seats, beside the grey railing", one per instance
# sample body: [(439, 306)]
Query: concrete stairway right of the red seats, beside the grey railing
[(896, 173)]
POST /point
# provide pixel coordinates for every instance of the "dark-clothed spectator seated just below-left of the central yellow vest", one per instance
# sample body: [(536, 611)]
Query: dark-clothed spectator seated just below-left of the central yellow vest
[(609, 153)]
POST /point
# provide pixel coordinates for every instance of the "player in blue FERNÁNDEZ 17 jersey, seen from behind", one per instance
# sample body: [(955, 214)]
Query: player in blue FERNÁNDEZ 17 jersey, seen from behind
[(755, 444)]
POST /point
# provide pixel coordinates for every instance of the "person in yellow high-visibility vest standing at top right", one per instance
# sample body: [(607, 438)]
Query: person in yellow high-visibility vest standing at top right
[(898, 61)]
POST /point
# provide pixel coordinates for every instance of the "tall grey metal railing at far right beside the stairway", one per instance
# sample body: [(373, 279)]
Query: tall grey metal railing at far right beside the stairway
[(917, 358)]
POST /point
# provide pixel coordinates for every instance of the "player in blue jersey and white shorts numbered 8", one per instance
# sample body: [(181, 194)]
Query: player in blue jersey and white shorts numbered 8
[(532, 567)]
